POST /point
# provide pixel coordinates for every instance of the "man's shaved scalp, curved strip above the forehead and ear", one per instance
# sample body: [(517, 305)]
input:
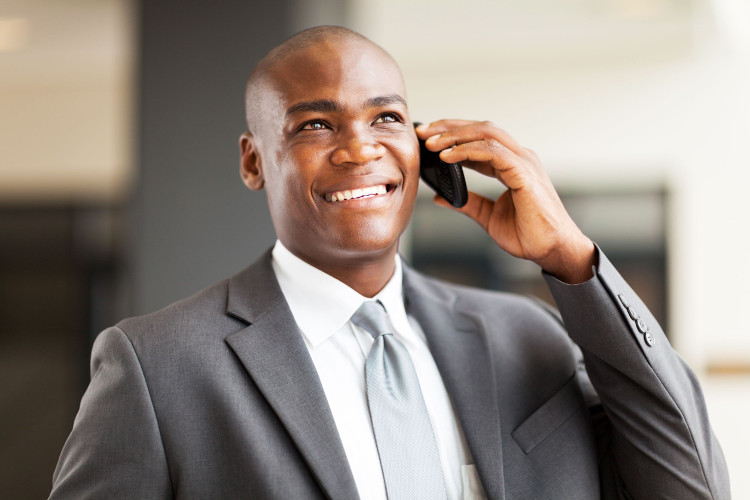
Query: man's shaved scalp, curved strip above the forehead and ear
[(261, 78)]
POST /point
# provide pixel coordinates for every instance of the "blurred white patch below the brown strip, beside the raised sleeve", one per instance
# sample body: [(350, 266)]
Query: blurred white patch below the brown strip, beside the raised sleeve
[(728, 399)]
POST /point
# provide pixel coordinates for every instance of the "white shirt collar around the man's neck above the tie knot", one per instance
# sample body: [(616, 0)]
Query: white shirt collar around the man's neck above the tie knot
[(320, 303)]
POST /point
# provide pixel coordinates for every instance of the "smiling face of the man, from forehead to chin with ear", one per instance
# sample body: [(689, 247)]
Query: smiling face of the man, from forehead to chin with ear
[(337, 153)]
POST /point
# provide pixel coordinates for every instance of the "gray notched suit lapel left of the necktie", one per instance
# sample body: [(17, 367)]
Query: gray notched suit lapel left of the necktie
[(273, 352)]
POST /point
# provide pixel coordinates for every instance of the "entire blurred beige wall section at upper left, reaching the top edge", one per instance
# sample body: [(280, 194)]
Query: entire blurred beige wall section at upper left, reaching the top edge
[(66, 102)]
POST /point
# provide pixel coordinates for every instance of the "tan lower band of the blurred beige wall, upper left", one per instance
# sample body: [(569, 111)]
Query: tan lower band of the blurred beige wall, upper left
[(64, 142)]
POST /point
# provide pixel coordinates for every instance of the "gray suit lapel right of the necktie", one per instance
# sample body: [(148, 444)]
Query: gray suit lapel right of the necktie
[(457, 342)]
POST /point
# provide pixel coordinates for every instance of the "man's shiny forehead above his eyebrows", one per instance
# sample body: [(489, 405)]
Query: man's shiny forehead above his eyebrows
[(347, 71)]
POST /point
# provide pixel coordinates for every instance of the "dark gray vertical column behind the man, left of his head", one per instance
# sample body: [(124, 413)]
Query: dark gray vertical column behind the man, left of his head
[(194, 222)]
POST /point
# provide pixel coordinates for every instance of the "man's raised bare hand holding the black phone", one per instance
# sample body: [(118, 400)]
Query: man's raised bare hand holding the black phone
[(528, 220)]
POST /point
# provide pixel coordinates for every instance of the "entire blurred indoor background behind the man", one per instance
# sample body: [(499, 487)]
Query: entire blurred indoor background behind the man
[(120, 193)]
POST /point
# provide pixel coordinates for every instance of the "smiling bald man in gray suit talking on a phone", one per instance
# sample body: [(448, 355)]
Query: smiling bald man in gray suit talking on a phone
[(263, 385)]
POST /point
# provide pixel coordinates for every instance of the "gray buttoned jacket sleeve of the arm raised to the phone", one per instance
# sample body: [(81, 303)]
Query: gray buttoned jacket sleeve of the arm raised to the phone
[(661, 444)]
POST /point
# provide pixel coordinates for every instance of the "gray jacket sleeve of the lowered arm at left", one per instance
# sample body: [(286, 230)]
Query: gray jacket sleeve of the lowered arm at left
[(115, 449)]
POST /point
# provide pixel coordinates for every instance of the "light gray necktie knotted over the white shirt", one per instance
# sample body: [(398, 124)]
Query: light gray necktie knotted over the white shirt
[(403, 433)]
